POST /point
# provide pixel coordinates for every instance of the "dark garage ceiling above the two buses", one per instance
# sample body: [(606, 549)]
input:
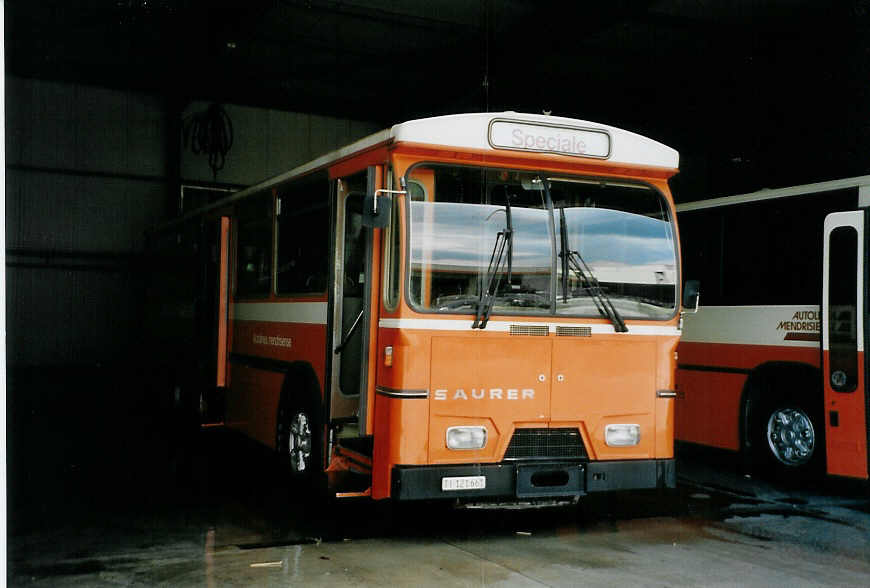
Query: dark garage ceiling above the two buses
[(753, 93)]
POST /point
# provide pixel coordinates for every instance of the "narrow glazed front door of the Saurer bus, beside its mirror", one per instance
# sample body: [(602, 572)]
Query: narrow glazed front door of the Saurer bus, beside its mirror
[(351, 314)]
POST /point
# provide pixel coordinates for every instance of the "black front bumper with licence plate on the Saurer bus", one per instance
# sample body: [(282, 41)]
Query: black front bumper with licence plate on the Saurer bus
[(530, 480)]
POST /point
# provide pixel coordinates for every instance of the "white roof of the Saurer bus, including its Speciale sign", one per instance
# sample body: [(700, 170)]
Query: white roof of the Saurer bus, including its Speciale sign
[(500, 131)]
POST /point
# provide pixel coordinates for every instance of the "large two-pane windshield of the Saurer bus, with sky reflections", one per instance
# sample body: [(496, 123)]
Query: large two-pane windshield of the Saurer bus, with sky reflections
[(525, 243)]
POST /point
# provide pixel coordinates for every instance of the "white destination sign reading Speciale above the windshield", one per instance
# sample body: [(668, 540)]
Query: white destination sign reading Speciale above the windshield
[(542, 138)]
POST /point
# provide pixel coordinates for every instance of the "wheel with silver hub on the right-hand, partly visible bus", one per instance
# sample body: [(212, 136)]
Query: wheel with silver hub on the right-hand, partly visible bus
[(789, 439)]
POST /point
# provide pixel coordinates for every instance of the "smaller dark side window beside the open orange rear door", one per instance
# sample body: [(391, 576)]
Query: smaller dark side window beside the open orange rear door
[(254, 246)]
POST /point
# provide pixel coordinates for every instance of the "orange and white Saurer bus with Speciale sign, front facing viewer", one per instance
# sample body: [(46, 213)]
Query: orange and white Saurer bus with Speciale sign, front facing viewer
[(474, 307)]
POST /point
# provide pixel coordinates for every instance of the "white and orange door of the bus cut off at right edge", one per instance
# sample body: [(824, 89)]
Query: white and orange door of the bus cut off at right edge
[(843, 328)]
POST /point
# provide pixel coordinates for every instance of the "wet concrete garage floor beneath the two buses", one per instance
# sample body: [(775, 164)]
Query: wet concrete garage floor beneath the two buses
[(104, 501)]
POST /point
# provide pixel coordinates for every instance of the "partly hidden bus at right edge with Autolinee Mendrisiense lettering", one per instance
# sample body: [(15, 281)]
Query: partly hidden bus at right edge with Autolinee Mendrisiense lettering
[(772, 365)]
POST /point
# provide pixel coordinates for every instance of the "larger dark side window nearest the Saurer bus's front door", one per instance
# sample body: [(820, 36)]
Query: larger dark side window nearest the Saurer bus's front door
[(302, 229)]
